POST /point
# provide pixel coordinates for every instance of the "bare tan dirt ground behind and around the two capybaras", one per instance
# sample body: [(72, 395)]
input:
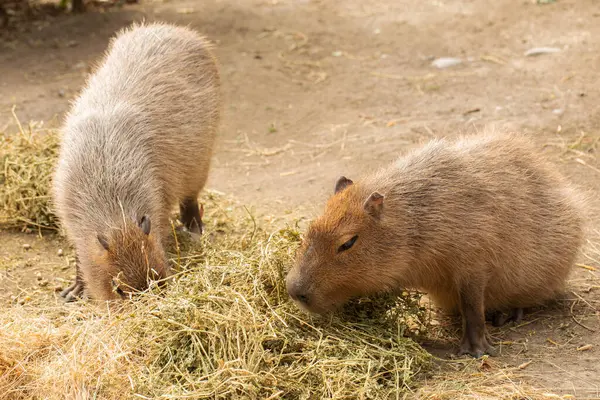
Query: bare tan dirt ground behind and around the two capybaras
[(317, 89)]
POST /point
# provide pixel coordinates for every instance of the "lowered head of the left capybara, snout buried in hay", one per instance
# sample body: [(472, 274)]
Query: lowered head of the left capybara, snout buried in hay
[(128, 259)]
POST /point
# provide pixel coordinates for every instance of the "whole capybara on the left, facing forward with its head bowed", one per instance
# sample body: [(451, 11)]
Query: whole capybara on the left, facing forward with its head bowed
[(137, 141)]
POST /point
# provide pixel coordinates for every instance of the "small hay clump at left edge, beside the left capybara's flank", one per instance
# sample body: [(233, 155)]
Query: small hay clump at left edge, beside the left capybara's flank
[(26, 164)]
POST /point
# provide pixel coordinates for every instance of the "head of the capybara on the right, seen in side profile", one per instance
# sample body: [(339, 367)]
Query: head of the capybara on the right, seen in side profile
[(342, 251)]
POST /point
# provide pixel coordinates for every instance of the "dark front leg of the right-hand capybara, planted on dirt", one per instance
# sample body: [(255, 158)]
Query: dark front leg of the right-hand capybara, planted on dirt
[(474, 341)]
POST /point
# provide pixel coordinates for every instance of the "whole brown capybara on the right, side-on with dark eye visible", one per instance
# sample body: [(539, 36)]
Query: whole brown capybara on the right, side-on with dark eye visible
[(482, 223)]
